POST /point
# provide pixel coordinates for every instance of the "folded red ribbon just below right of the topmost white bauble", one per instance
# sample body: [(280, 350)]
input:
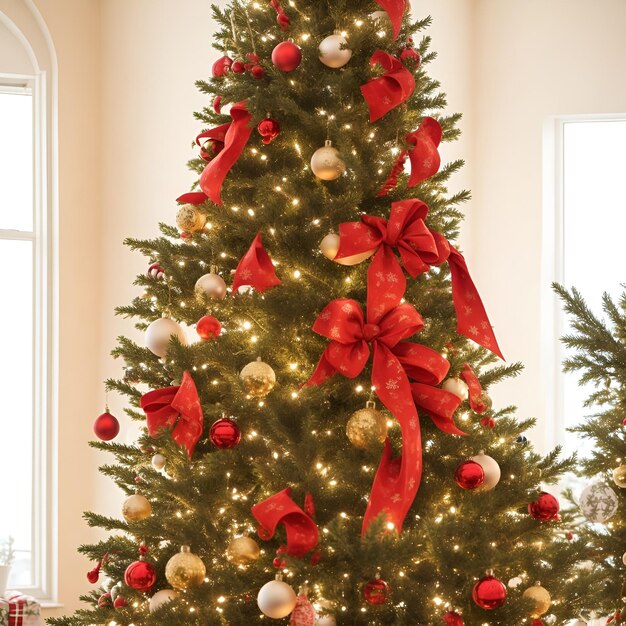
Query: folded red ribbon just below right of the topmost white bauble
[(384, 93)]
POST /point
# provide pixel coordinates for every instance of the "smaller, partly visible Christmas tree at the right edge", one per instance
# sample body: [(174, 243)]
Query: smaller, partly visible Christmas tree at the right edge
[(598, 352)]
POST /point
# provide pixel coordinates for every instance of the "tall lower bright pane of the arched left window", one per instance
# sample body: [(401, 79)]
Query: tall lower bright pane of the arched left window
[(16, 391)]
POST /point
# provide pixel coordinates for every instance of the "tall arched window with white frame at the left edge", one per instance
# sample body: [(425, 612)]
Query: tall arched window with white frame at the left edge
[(27, 314)]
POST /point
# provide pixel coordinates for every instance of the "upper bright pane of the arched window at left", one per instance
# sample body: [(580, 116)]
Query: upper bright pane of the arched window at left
[(16, 161)]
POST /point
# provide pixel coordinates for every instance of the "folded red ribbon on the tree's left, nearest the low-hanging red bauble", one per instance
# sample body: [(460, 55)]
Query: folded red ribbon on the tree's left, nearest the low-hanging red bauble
[(177, 409)]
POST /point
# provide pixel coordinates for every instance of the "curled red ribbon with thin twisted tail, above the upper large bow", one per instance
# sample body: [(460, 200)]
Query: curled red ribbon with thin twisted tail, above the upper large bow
[(424, 156)]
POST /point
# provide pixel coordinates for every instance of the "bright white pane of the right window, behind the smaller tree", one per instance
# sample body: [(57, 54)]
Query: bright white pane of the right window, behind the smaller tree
[(594, 197)]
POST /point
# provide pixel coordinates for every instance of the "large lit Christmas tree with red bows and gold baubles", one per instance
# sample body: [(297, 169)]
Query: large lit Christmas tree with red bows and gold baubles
[(331, 425)]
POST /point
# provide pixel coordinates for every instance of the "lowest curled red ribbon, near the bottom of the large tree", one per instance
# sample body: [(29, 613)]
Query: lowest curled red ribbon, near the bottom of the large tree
[(302, 531)]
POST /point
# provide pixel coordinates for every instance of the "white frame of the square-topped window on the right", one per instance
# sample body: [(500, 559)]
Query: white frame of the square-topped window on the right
[(553, 318)]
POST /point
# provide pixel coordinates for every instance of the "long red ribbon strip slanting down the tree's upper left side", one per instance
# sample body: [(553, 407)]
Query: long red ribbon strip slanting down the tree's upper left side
[(235, 141)]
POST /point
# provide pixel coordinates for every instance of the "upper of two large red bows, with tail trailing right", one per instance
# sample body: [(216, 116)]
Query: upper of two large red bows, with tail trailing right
[(419, 248)]
